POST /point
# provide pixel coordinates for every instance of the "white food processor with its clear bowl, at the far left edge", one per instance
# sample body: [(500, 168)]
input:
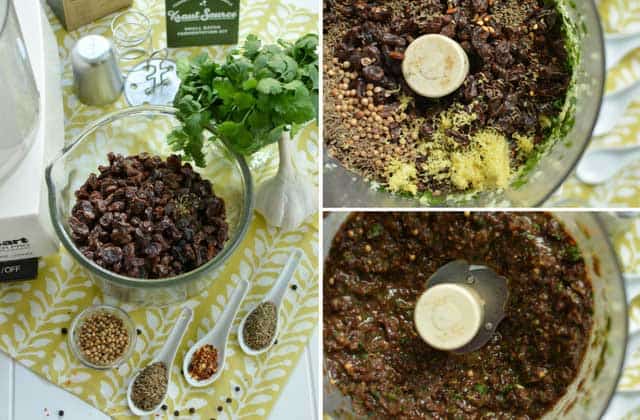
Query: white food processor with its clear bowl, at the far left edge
[(31, 132)]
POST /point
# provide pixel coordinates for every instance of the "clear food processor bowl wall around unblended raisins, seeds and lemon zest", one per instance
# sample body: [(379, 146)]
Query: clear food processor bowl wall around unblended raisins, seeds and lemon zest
[(343, 188)]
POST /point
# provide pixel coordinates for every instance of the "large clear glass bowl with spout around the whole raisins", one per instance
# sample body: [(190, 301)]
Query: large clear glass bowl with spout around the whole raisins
[(129, 132)]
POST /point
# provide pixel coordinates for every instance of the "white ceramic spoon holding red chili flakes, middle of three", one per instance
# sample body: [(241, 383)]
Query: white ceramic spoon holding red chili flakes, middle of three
[(218, 336)]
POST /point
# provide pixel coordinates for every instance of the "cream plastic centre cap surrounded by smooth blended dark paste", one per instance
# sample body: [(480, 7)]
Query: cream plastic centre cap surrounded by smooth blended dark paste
[(448, 316)]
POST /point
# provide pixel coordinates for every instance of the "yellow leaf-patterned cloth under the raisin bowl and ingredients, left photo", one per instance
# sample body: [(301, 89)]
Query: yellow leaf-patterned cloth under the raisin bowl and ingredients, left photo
[(32, 314)]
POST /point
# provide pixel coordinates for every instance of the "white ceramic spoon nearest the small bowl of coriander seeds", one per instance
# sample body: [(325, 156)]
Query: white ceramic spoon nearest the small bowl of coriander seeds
[(166, 356)]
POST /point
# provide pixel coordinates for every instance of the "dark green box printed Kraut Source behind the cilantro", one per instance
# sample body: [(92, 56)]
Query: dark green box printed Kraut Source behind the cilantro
[(202, 22)]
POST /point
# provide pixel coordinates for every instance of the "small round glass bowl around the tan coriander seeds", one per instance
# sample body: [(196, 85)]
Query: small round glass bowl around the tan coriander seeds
[(79, 320)]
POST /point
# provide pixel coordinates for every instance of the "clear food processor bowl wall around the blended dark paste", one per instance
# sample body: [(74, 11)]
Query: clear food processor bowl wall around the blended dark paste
[(589, 395)]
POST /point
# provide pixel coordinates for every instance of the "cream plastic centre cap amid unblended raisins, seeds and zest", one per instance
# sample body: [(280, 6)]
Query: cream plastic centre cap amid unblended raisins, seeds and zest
[(435, 66)]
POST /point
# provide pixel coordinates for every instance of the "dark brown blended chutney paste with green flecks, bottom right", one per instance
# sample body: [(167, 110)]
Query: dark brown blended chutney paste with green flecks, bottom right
[(378, 266)]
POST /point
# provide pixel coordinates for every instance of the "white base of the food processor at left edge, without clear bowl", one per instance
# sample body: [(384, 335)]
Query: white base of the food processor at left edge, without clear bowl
[(25, 226)]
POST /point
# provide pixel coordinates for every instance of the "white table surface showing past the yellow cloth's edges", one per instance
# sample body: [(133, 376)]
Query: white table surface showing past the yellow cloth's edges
[(25, 396)]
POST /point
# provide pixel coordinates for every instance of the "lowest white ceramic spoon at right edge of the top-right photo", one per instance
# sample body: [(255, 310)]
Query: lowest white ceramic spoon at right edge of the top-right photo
[(600, 165)]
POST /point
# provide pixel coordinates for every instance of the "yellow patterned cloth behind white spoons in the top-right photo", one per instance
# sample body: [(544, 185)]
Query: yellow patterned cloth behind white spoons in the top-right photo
[(618, 17)]
